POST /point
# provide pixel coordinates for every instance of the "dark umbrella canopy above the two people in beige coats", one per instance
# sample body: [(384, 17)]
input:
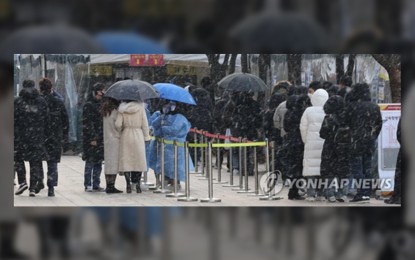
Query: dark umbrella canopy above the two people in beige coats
[(131, 90)]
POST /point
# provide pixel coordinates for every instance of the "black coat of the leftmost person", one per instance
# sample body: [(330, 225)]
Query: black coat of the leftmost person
[(31, 117)]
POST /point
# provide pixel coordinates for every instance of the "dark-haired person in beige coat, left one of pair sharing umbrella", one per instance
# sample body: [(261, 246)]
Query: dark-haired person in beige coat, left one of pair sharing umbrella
[(111, 143)]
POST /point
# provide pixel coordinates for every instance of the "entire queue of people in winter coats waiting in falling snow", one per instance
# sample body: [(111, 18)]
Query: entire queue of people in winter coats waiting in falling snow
[(322, 133)]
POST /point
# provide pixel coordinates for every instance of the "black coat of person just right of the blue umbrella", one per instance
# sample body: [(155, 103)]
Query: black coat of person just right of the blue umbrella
[(201, 115)]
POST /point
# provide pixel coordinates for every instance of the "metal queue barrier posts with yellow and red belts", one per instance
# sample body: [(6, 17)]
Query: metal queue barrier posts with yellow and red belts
[(241, 144)]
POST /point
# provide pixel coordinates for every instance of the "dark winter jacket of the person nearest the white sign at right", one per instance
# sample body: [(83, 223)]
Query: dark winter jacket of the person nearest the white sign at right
[(364, 119)]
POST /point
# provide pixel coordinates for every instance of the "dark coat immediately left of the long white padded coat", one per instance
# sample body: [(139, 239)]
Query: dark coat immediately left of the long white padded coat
[(293, 146)]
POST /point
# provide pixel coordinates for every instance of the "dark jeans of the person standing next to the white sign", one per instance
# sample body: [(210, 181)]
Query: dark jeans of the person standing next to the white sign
[(361, 167)]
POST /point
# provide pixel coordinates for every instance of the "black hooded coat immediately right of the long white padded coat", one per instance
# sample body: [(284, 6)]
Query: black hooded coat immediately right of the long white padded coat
[(336, 135)]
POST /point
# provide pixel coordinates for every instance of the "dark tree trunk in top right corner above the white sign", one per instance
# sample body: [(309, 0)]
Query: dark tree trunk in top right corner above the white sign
[(392, 64)]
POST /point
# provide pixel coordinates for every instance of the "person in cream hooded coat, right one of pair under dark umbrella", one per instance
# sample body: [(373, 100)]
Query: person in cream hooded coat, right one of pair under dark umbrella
[(132, 123)]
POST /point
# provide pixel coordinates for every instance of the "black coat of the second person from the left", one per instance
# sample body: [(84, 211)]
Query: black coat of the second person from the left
[(57, 129)]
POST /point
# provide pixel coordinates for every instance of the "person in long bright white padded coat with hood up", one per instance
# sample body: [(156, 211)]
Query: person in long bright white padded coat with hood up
[(310, 125)]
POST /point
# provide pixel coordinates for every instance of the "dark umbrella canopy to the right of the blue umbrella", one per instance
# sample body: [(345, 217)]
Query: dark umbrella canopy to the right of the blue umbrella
[(242, 82)]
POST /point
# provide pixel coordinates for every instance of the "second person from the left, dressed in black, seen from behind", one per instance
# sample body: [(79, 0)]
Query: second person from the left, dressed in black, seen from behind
[(57, 134)]
